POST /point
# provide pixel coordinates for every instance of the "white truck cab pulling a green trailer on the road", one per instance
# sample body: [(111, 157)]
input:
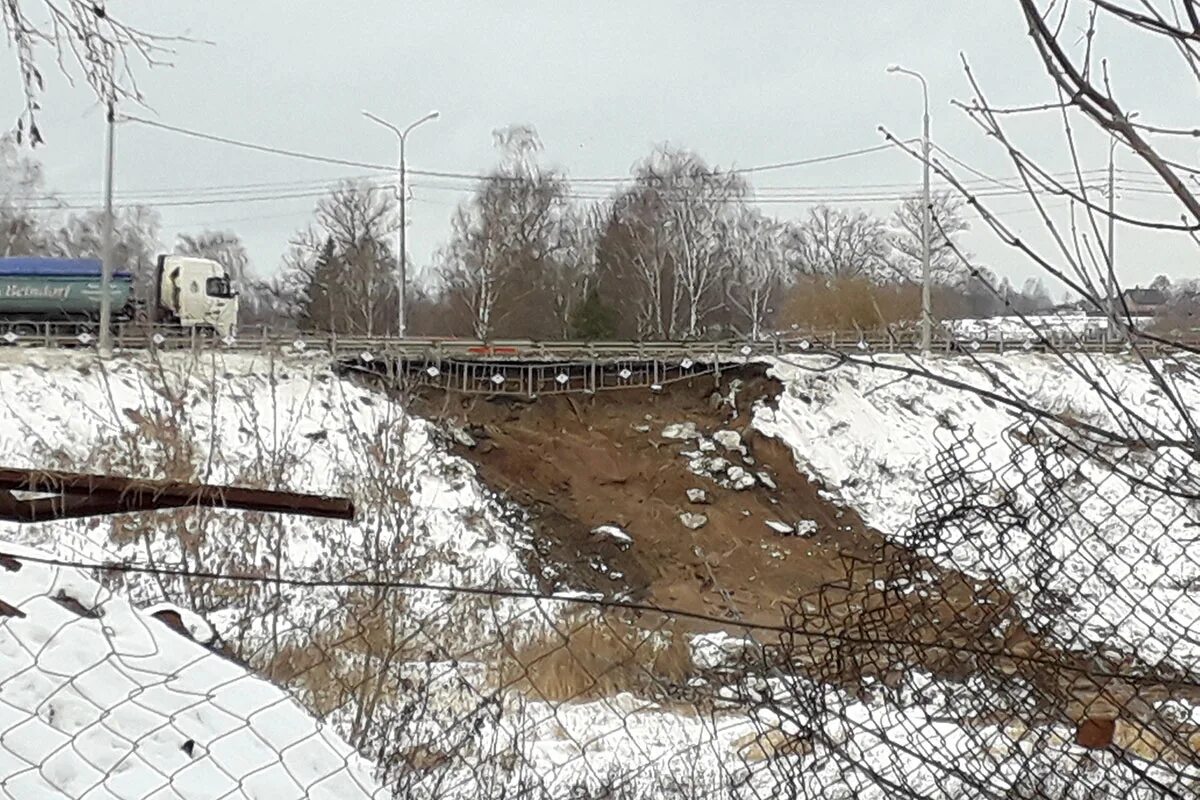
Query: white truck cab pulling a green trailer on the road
[(197, 293)]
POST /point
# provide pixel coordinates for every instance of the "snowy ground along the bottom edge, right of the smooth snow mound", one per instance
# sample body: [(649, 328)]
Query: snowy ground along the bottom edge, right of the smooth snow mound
[(806, 742)]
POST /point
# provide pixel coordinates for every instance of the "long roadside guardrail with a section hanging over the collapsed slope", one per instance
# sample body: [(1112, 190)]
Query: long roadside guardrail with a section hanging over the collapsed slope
[(530, 369)]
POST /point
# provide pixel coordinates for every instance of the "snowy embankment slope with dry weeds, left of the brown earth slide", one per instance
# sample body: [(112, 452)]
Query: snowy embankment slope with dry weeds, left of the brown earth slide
[(273, 423)]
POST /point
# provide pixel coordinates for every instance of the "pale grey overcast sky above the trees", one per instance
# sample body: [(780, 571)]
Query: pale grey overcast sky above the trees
[(603, 82)]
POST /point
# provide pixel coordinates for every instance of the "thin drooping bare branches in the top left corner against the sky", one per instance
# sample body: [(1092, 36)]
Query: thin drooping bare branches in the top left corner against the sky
[(83, 38)]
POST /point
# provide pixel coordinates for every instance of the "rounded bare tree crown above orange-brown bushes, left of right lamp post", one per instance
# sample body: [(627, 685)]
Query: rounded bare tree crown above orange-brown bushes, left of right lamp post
[(837, 244)]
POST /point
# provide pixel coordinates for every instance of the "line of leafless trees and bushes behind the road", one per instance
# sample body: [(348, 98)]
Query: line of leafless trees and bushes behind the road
[(679, 251)]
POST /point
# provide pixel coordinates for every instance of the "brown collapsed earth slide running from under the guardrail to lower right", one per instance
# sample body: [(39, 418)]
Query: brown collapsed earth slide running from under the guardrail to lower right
[(861, 607)]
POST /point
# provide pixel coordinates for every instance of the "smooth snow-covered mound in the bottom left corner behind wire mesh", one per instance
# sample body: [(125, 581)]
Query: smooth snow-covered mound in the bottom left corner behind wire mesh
[(101, 701)]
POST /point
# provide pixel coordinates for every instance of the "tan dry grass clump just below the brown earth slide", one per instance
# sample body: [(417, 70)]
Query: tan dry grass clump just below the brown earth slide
[(590, 658)]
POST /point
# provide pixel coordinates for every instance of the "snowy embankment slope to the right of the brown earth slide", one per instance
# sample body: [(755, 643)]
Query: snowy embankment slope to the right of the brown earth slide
[(895, 447)]
